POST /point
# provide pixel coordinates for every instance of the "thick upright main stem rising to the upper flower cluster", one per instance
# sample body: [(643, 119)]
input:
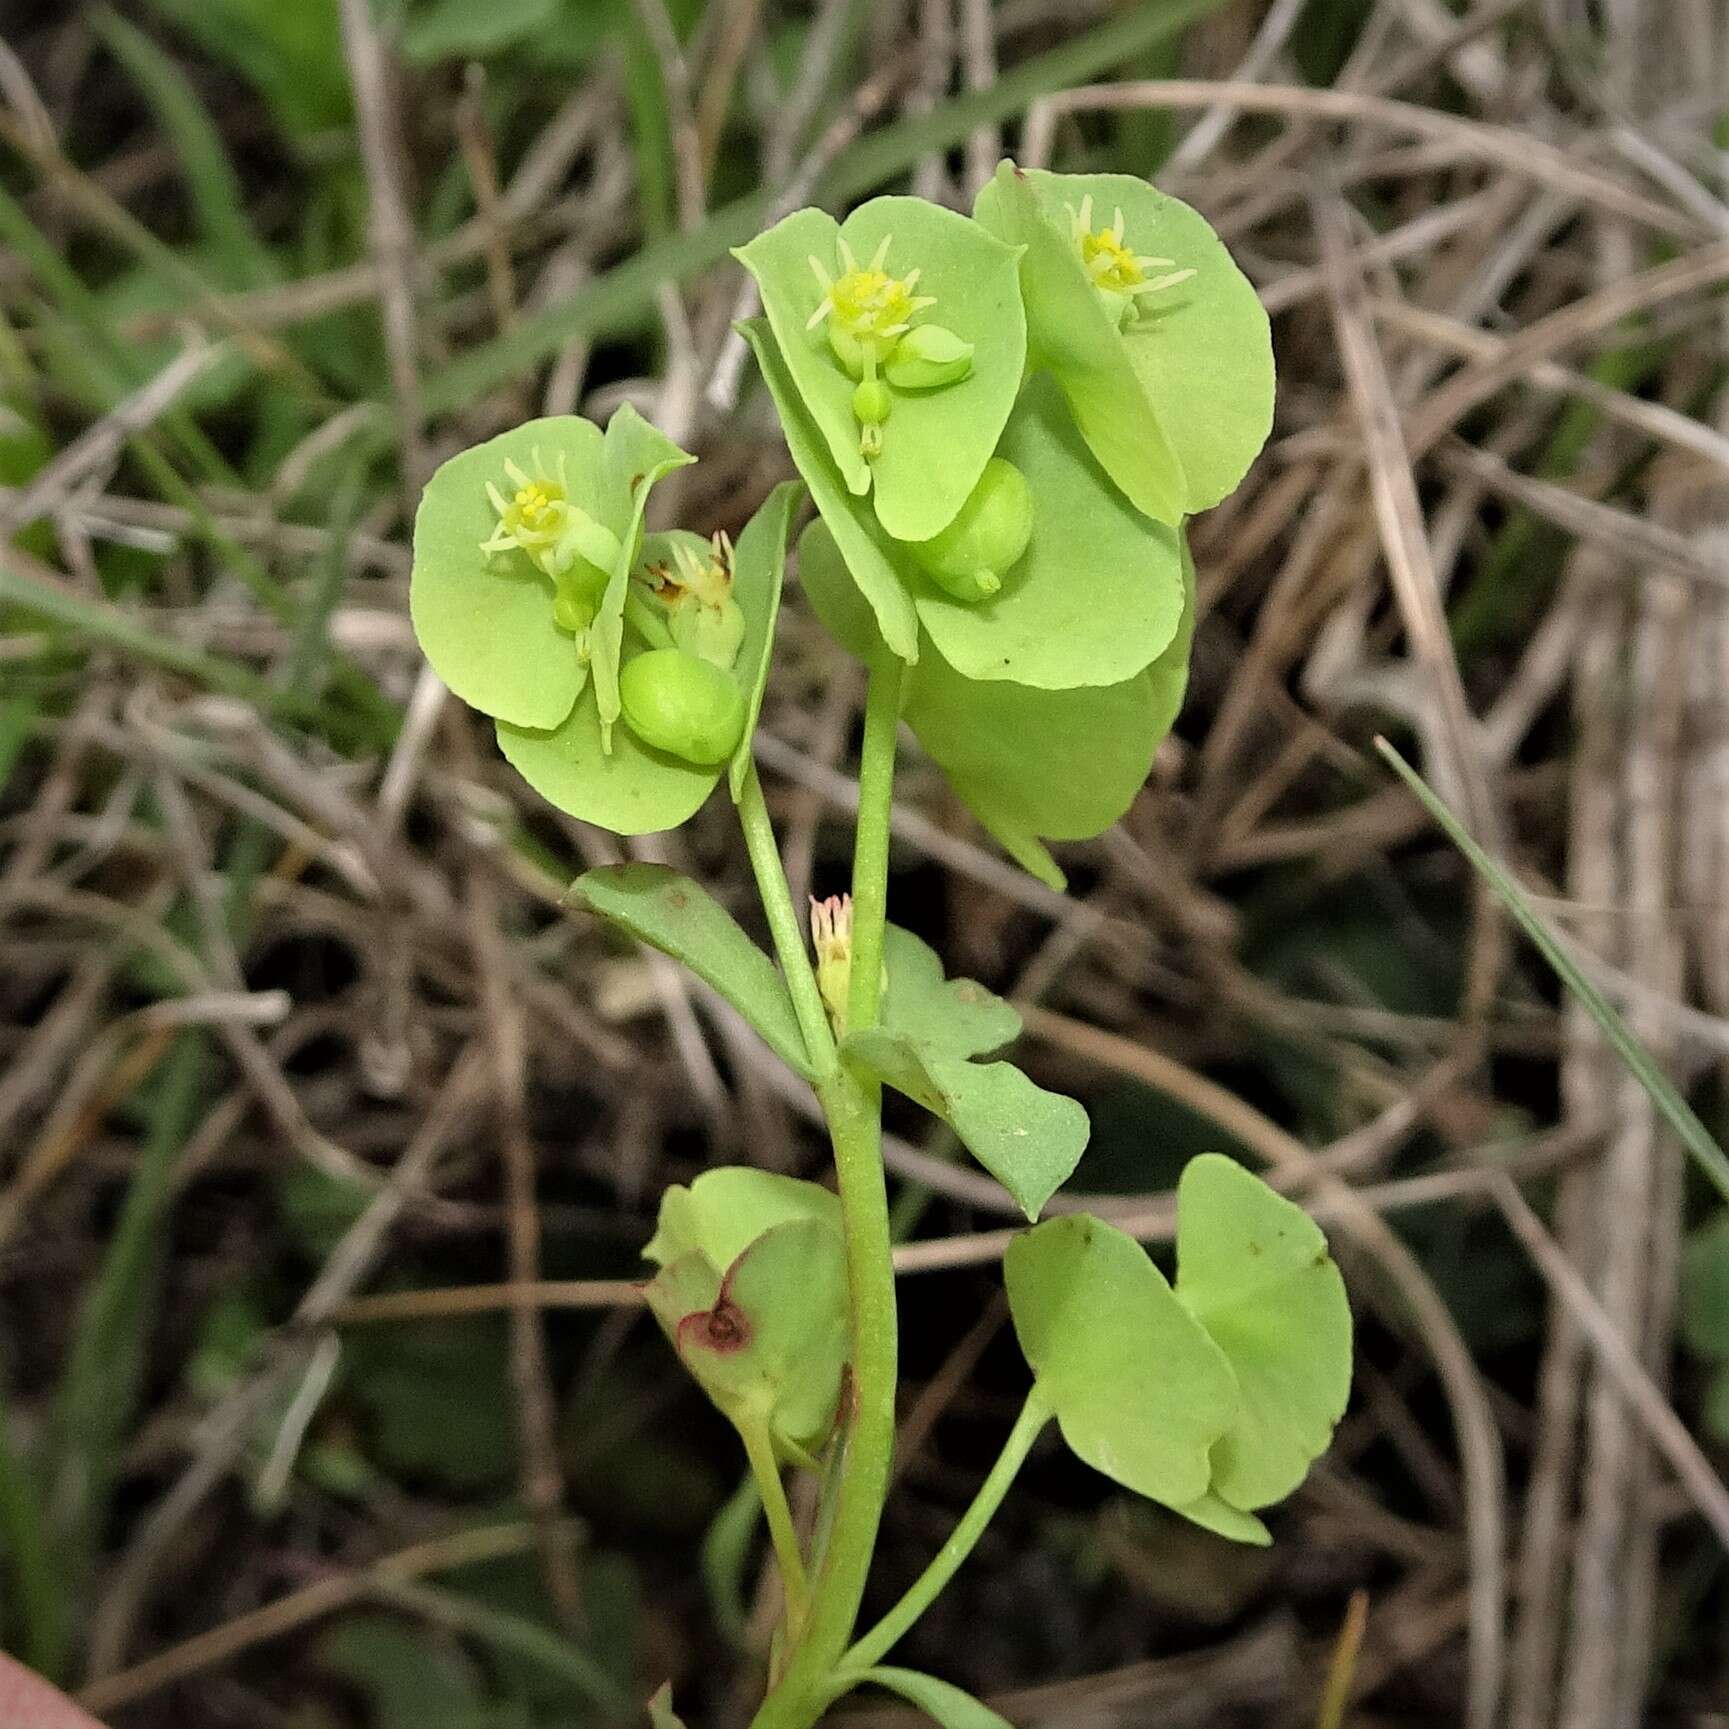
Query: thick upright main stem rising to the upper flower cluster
[(853, 1109)]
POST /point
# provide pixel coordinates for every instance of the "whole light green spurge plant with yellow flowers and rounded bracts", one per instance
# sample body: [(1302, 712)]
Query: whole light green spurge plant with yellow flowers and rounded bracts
[(1004, 423)]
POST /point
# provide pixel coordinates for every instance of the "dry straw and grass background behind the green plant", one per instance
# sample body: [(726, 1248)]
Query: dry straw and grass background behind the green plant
[(305, 1068)]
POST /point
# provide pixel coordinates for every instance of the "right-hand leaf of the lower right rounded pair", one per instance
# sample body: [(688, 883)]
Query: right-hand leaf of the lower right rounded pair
[(1254, 1272)]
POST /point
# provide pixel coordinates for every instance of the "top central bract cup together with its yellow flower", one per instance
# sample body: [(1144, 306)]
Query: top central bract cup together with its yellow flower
[(839, 298)]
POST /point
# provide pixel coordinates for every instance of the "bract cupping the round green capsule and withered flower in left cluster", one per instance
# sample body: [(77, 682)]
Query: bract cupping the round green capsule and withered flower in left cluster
[(635, 788)]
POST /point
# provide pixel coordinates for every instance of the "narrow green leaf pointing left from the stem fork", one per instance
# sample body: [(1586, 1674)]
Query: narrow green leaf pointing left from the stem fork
[(679, 917)]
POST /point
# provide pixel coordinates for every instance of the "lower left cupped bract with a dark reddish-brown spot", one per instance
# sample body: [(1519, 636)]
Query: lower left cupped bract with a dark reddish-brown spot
[(753, 1294)]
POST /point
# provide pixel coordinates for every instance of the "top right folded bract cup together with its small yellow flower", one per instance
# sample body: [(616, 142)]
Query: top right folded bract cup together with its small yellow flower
[(1156, 336)]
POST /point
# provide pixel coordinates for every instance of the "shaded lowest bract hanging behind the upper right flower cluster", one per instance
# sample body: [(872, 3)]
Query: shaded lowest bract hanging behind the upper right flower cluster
[(1062, 765)]
